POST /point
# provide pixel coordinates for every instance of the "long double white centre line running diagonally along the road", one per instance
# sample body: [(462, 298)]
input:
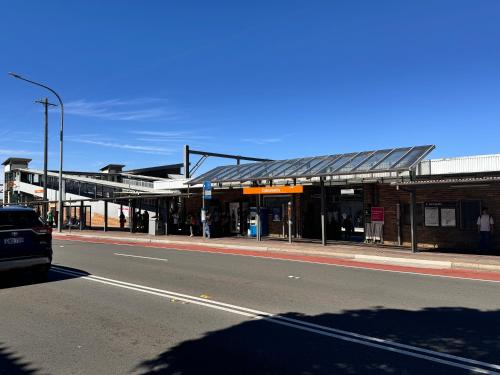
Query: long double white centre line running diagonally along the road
[(409, 350)]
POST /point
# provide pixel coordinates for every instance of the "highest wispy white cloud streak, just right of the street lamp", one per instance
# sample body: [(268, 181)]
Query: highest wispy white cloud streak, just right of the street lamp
[(126, 110)]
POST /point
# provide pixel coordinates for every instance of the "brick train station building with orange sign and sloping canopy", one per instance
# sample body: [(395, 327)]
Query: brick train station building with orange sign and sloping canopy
[(396, 197)]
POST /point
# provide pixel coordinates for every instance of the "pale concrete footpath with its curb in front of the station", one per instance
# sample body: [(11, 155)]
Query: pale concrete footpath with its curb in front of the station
[(347, 251)]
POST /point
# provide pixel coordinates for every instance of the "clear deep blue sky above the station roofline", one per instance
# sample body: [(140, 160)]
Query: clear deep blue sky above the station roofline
[(274, 79)]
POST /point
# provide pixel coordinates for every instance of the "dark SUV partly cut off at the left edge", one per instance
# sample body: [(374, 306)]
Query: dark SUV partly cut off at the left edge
[(25, 241)]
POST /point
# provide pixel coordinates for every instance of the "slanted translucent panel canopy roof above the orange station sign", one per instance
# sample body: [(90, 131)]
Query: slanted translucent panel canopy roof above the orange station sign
[(355, 163)]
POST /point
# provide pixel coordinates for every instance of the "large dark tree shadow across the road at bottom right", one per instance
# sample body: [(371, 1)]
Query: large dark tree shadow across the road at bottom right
[(262, 347)]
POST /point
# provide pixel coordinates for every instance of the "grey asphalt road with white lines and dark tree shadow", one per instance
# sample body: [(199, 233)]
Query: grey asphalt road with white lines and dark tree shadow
[(110, 309)]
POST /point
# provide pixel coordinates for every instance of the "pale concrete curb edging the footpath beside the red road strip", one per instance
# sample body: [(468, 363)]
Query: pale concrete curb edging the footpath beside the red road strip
[(397, 261)]
